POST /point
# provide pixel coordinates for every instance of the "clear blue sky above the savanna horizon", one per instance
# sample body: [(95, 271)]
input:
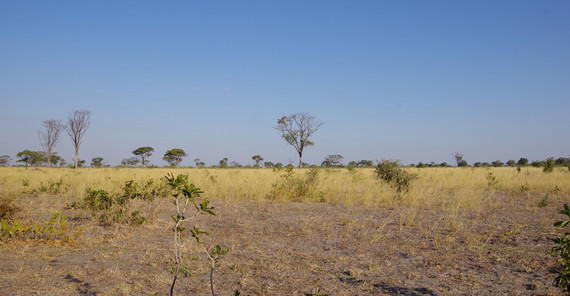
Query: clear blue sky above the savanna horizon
[(409, 80)]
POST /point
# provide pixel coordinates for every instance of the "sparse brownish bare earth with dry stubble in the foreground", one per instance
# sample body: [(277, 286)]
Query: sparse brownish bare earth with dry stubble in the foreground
[(282, 248)]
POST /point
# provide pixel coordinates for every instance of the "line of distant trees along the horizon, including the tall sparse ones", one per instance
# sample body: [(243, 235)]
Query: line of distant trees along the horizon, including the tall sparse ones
[(295, 129)]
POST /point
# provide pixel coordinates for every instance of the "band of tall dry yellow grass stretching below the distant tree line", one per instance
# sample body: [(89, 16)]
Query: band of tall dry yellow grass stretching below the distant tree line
[(450, 188)]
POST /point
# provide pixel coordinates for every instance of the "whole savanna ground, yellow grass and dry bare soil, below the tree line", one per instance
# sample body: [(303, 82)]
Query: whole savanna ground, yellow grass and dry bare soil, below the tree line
[(457, 231)]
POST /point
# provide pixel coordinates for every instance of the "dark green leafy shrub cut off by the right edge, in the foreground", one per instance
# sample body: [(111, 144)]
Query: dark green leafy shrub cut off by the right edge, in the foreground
[(562, 250)]
